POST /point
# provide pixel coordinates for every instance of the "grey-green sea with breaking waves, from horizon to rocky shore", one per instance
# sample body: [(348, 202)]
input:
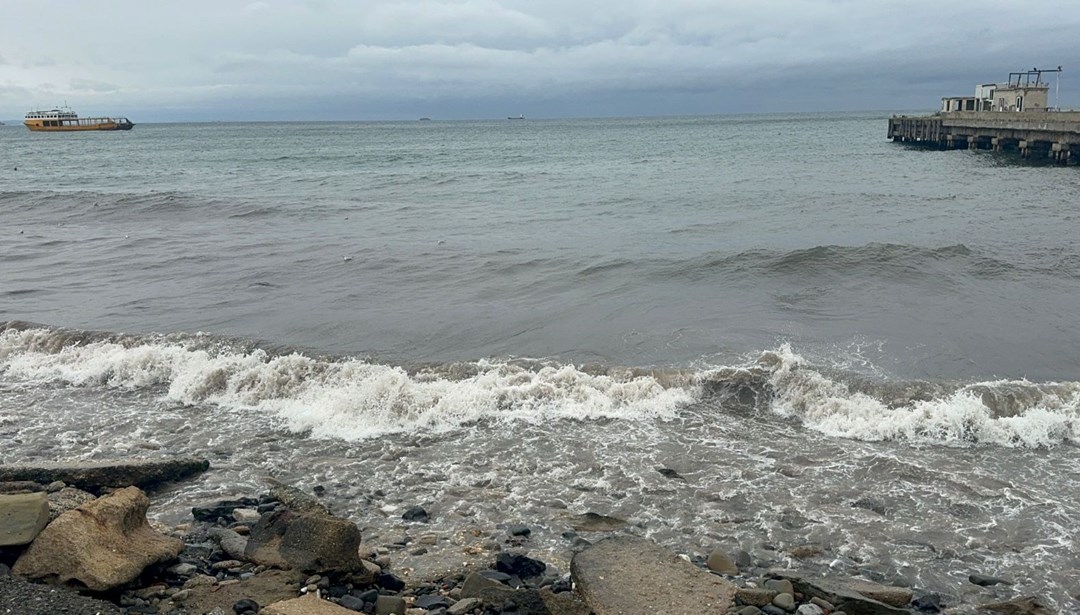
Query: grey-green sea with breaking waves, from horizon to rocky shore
[(820, 337)]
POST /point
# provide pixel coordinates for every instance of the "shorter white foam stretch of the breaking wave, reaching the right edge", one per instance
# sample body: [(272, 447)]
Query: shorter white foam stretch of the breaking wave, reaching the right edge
[(961, 419)]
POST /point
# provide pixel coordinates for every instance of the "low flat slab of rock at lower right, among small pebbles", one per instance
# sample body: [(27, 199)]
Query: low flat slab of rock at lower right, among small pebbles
[(852, 596)]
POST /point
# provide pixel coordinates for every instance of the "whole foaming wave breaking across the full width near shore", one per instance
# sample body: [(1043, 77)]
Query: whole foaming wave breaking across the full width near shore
[(352, 398)]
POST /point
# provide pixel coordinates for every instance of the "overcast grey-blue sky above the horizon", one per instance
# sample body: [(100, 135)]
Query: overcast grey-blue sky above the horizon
[(371, 60)]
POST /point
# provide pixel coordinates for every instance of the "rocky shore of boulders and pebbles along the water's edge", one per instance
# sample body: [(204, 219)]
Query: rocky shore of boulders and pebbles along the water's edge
[(75, 539)]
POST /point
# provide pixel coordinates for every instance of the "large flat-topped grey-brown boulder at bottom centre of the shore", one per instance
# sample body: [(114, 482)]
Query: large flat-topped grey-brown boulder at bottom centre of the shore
[(626, 576)]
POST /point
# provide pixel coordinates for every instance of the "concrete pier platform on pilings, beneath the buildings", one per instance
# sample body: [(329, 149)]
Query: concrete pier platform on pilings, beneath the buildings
[(1033, 135)]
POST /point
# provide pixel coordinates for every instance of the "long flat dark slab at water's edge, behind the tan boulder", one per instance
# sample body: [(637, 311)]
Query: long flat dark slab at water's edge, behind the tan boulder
[(96, 476)]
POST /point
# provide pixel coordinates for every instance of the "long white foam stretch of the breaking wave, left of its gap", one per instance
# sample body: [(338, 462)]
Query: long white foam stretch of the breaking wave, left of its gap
[(349, 399)]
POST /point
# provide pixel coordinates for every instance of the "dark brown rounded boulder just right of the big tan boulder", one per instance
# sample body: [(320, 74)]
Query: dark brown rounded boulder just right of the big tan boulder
[(307, 542)]
